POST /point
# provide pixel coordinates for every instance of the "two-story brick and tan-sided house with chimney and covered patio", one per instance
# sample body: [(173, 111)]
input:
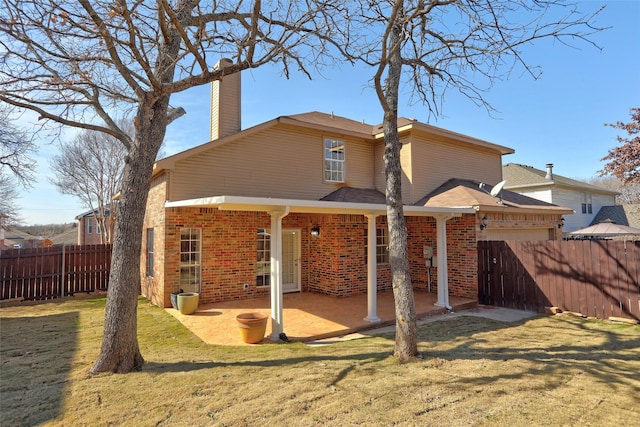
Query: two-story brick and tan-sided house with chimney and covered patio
[(297, 204)]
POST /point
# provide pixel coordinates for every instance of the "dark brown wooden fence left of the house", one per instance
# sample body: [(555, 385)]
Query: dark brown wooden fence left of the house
[(47, 273)]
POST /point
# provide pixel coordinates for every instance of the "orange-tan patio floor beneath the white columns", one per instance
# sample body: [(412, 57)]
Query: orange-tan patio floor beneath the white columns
[(307, 316)]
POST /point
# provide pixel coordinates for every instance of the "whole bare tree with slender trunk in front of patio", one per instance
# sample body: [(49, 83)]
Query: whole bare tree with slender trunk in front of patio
[(435, 46)]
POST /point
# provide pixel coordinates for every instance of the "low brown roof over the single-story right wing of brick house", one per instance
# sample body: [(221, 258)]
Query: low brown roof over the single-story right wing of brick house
[(463, 192)]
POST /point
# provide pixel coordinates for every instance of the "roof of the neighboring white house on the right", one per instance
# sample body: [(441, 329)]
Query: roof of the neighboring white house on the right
[(519, 175)]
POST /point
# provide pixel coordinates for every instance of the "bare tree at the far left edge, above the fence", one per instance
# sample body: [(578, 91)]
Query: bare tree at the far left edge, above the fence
[(16, 165)]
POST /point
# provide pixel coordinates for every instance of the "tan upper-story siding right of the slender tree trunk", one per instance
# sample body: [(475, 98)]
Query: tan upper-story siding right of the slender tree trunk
[(434, 161)]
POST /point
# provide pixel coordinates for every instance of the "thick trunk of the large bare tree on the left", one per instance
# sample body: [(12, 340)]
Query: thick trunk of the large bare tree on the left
[(120, 351)]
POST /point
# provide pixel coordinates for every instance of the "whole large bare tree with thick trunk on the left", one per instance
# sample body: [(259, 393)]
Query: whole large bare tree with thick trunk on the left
[(79, 62)]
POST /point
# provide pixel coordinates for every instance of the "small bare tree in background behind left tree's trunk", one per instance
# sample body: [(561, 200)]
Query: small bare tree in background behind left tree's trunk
[(90, 167)]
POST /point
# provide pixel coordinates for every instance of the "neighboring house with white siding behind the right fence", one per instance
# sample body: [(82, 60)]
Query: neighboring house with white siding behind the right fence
[(586, 200)]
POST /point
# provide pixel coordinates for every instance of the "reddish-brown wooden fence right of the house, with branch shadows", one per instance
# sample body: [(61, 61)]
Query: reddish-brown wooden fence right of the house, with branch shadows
[(596, 278)]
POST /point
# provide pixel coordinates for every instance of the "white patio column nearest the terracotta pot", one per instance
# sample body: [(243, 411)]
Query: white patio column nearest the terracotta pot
[(276, 273)]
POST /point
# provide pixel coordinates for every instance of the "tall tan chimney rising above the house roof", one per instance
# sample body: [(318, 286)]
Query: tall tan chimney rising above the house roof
[(225, 103)]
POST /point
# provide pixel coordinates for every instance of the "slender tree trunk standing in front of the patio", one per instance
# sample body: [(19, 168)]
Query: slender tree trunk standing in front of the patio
[(406, 330)]
